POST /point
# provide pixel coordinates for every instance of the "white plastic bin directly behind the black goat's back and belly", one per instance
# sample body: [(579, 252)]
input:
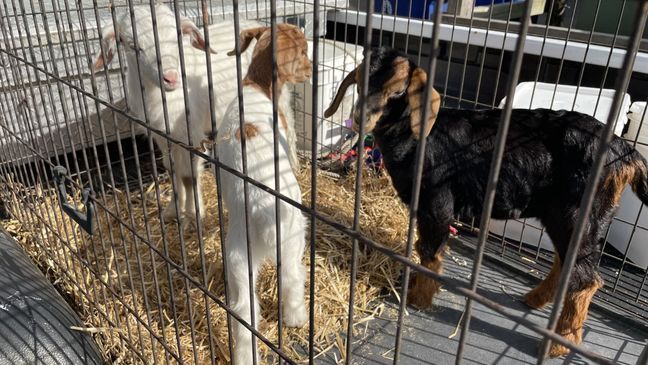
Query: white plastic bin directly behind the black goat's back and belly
[(558, 97)]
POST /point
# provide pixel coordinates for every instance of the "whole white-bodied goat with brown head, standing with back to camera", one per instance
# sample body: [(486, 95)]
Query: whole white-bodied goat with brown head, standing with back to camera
[(293, 67)]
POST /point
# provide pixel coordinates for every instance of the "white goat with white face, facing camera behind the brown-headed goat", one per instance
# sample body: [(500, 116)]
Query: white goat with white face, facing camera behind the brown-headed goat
[(145, 97)]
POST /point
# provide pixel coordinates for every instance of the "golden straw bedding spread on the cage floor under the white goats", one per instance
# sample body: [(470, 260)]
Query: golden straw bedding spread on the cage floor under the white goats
[(113, 278)]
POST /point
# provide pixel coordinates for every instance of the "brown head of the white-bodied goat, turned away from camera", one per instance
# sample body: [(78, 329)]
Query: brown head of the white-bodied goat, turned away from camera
[(293, 64)]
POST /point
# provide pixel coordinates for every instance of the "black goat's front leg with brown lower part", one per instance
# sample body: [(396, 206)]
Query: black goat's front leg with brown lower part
[(433, 234)]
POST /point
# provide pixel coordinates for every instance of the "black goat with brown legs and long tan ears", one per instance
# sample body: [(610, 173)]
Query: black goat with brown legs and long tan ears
[(544, 171)]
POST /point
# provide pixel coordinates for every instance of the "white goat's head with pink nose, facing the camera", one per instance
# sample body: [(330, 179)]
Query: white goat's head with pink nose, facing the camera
[(168, 40)]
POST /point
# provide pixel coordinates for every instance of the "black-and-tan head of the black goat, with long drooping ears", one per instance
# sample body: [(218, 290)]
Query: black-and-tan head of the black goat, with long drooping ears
[(393, 81)]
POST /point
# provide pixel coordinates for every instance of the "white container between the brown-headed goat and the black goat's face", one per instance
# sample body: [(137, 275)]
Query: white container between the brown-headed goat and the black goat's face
[(336, 60)]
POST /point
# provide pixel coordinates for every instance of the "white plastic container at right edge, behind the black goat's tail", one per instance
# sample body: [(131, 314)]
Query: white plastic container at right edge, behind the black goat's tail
[(629, 207)]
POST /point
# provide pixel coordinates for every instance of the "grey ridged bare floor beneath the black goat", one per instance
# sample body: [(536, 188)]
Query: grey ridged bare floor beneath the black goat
[(493, 338)]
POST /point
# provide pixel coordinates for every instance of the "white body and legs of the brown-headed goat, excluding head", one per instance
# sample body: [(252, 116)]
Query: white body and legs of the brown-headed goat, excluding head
[(261, 215)]
